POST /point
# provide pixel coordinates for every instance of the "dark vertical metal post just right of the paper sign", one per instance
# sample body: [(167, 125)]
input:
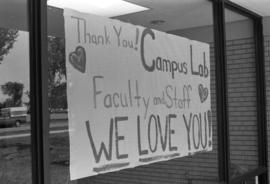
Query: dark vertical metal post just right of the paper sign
[(221, 90)]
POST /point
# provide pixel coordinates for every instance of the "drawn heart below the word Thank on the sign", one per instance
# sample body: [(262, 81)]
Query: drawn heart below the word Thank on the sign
[(78, 59)]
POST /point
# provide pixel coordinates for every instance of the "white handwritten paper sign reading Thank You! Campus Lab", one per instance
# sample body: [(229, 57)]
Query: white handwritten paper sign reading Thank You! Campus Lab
[(135, 95)]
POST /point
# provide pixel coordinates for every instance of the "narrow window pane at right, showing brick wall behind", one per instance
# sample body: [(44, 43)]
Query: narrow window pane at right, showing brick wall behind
[(242, 102)]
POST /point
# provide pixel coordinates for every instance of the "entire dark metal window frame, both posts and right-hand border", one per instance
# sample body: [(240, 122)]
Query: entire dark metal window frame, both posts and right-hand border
[(37, 10)]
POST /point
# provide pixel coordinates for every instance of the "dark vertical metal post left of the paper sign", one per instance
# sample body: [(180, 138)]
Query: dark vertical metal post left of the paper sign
[(38, 91)]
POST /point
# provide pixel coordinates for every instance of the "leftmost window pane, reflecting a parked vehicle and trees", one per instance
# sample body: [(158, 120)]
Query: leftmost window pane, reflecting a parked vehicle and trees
[(15, 143)]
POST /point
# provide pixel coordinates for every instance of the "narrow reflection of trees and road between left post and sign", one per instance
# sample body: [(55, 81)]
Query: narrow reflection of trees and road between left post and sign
[(59, 140)]
